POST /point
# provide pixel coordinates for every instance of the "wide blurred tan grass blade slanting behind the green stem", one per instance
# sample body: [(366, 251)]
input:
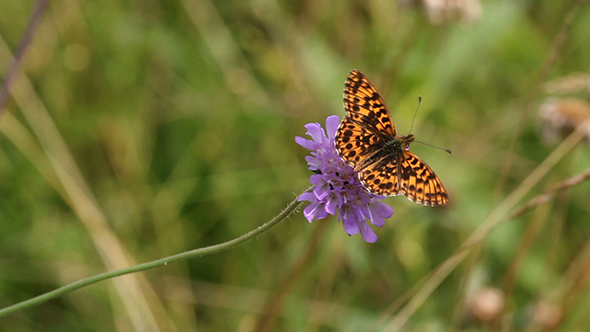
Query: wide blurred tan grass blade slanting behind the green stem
[(83, 203)]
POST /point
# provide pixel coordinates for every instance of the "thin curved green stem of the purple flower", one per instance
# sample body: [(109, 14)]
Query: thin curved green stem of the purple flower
[(157, 263)]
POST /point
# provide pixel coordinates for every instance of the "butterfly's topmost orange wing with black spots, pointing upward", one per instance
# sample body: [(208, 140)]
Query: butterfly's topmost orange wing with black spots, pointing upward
[(364, 105)]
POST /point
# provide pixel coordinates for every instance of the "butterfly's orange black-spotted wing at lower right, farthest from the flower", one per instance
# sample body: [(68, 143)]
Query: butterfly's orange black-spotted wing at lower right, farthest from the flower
[(419, 183)]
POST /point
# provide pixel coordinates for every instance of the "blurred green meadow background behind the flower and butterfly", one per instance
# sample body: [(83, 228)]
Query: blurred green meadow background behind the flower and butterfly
[(141, 129)]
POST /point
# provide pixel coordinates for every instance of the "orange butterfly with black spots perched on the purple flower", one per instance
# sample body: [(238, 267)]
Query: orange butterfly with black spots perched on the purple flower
[(367, 140)]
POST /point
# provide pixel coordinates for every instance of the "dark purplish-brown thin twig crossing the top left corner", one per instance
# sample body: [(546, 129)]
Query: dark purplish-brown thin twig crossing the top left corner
[(22, 50)]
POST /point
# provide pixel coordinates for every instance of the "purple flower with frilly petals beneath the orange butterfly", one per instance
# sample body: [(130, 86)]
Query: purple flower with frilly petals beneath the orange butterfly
[(336, 185)]
